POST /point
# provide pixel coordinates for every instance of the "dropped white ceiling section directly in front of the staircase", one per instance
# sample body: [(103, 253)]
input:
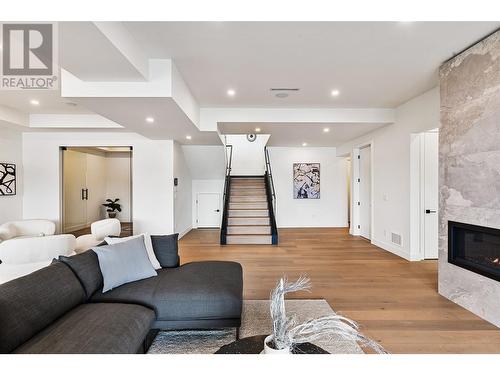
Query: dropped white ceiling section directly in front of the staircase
[(294, 134)]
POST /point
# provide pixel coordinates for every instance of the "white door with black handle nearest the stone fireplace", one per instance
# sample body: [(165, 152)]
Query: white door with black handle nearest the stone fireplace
[(431, 195)]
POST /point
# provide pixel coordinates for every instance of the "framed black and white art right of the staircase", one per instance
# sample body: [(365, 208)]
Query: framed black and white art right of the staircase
[(306, 181)]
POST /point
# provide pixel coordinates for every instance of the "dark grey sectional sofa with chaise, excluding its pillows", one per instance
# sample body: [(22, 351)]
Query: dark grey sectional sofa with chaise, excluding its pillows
[(61, 309)]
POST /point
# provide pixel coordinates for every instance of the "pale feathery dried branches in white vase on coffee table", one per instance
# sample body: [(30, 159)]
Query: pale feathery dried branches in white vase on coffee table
[(287, 333)]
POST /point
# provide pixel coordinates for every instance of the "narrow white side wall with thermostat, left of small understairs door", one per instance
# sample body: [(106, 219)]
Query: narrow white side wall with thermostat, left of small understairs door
[(182, 193)]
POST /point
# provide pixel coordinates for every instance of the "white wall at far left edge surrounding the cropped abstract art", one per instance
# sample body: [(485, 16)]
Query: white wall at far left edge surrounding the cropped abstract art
[(11, 207)]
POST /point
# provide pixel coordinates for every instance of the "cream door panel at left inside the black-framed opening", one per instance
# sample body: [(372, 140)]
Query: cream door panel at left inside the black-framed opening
[(74, 191)]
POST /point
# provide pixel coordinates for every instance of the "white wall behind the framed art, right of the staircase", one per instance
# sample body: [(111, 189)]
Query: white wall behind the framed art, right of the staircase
[(328, 211)]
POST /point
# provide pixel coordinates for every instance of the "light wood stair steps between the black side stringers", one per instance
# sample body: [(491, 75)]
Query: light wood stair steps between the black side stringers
[(248, 214)]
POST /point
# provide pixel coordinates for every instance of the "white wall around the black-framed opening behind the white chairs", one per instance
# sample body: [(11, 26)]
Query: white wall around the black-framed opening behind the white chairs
[(152, 176)]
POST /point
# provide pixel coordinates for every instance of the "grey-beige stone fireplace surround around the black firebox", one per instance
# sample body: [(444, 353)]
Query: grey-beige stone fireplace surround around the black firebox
[(469, 167)]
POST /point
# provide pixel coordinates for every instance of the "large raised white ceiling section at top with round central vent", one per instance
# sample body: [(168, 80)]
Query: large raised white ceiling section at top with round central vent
[(373, 64)]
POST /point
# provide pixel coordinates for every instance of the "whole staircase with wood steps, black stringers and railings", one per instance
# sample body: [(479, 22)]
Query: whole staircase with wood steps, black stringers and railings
[(249, 208)]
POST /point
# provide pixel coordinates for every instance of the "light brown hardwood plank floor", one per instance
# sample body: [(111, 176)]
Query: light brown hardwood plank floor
[(395, 301)]
